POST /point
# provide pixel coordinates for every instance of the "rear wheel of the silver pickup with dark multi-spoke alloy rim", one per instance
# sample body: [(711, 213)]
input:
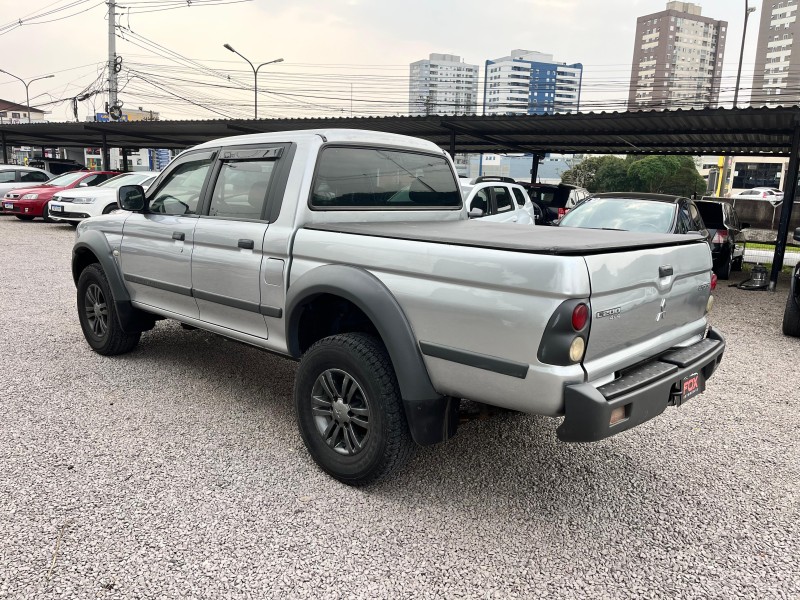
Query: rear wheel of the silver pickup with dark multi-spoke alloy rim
[(349, 409)]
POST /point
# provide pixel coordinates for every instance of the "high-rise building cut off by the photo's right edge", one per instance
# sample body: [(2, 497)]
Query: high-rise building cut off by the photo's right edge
[(776, 78)]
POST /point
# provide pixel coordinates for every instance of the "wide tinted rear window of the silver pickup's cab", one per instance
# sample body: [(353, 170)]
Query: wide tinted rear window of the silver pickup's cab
[(378, 179)]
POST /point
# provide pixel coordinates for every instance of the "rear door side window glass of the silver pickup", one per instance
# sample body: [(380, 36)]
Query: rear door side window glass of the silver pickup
[(241, 189)]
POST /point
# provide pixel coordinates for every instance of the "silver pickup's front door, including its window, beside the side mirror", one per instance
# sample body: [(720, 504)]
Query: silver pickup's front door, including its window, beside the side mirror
[(156, 248)]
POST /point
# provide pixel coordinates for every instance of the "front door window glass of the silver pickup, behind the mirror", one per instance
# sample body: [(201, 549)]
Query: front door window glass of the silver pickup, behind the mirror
[(179, 192)]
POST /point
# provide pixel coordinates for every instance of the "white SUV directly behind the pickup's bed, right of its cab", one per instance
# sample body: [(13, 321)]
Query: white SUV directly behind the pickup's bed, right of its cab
[(498, 199)]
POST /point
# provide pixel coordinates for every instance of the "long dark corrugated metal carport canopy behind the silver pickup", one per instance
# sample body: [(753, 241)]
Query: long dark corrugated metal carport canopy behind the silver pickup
[(745, 131)]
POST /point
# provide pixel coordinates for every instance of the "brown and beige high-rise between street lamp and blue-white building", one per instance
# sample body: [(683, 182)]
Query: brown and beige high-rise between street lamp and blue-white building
[(677, 59)]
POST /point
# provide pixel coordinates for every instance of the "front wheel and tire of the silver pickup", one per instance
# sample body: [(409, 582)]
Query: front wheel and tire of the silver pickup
[(98, 315)]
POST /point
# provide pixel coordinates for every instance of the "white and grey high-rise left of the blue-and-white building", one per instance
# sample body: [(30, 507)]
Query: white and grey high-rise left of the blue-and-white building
[(442, 85)]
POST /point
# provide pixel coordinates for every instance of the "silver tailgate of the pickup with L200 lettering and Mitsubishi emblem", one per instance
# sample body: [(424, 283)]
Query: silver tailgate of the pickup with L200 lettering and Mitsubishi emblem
[(650, 297)]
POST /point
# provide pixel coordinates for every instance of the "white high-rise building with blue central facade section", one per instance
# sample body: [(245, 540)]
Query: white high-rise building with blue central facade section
[(531, 83)]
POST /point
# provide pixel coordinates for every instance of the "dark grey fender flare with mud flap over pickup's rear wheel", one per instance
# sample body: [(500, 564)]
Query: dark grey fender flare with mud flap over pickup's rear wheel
[(431, 417)]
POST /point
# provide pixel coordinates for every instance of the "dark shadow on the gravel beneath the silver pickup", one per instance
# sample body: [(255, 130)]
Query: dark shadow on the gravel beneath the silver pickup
[(503, 459)]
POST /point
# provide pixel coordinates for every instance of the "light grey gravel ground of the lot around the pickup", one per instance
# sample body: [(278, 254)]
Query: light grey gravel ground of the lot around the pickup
[(177, 472)]
